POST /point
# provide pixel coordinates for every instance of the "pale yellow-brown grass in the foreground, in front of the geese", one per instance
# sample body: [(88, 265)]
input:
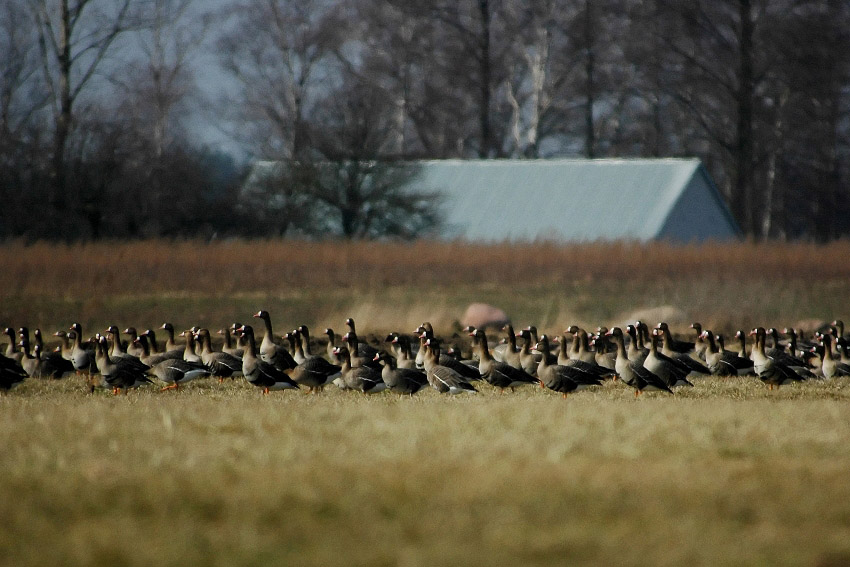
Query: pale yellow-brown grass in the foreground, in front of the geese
[(724, 473)]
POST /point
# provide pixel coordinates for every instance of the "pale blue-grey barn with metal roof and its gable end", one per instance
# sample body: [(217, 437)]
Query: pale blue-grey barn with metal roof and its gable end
[(578, 200)]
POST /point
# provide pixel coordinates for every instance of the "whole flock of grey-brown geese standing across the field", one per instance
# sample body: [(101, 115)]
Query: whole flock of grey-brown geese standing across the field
[(641, 358)]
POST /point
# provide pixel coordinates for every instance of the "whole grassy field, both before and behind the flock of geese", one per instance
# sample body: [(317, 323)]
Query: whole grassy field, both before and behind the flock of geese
[(727, 472)]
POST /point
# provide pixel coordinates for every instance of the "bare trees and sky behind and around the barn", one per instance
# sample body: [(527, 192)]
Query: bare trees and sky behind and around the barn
[(101, 102)]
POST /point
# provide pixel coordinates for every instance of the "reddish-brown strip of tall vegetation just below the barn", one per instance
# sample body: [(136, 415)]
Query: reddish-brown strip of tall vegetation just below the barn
[(244, 266)]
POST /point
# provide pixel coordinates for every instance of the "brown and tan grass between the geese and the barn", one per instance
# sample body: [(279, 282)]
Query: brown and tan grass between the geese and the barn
[(386, 285)]
